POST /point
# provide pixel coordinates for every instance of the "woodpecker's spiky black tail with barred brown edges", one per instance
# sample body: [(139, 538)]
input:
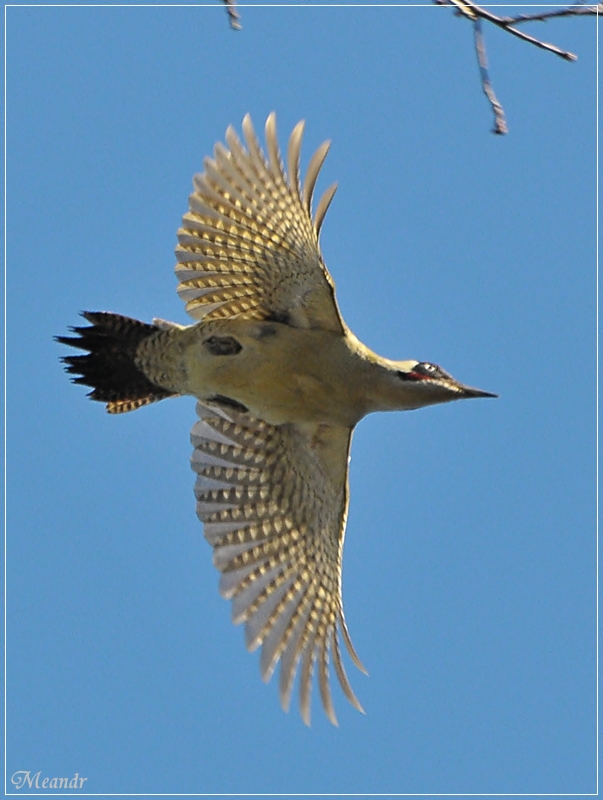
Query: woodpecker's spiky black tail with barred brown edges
[(110, 366)]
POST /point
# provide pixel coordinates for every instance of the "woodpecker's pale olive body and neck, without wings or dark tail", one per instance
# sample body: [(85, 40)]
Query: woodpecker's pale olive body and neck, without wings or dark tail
[(280, 374)]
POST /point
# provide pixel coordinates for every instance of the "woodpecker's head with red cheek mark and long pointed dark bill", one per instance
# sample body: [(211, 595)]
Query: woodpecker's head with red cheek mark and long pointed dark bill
[(414, 384)]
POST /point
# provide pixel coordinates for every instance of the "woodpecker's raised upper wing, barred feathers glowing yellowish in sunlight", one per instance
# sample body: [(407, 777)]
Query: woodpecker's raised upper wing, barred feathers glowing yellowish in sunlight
[(248, 247)]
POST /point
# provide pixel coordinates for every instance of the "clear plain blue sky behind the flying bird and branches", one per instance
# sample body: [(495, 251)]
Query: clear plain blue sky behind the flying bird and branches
[(469, 566)]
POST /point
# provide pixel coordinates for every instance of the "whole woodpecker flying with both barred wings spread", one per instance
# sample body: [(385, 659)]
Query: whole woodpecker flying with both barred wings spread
[(281, 382)]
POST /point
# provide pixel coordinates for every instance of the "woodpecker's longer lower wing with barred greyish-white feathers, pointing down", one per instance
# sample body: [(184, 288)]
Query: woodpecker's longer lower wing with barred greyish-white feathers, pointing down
[(273, 500)]
